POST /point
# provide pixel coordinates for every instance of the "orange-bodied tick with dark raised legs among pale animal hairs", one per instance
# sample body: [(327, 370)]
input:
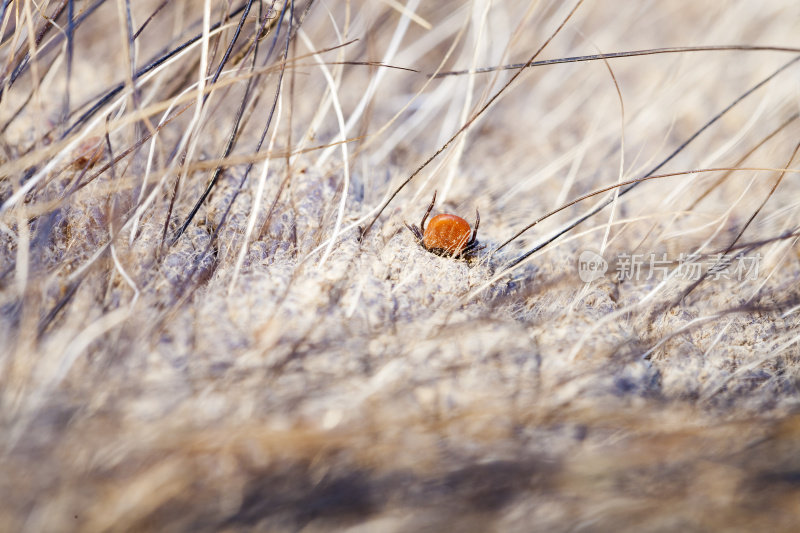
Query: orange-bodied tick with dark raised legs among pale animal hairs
[(447, 235)]
